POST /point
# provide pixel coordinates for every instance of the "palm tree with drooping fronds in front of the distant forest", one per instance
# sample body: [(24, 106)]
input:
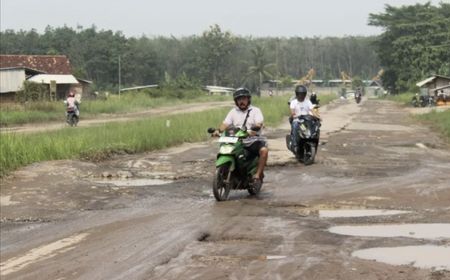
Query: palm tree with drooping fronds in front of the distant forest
[(260, 67)]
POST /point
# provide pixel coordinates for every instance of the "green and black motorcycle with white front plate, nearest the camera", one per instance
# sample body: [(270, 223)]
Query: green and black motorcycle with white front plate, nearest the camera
[(235, 168)]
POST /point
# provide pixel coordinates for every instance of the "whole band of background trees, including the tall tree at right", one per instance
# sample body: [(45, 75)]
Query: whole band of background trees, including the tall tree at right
[(415, 43)]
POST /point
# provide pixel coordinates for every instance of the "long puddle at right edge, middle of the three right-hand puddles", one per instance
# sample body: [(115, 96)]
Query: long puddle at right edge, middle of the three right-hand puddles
[(428, 231)]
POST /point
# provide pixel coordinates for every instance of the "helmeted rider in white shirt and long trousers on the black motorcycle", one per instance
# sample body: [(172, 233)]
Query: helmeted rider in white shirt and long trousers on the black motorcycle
[(299, 106)]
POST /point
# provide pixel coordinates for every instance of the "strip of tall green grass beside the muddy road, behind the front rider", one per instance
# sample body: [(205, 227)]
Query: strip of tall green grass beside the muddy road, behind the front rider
[(97, 143)]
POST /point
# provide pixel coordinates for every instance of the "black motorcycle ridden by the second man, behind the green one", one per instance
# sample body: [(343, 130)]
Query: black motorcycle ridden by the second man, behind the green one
[(308, 139)]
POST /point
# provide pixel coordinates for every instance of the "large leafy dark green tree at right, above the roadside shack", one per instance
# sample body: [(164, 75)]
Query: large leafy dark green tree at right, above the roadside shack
[(415, 43)]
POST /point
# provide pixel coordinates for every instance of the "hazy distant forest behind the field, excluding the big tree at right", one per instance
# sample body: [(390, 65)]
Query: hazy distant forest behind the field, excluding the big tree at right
[(215, 57)]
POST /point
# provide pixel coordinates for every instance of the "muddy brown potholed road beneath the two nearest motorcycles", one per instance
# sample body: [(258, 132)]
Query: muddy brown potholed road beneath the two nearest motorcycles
[(153, 216)]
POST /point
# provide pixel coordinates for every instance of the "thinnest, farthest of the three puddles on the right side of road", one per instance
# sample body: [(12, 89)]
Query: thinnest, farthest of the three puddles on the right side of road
[(353, 213)]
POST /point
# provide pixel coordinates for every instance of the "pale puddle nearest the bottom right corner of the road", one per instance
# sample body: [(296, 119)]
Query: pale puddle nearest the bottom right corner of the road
[(426, 256)]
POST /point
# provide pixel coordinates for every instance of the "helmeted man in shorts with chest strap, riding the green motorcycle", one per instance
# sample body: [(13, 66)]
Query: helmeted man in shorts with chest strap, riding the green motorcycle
[(253, 118)]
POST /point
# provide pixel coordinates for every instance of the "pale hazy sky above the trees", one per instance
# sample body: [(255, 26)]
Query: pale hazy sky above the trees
[(187, 17)]
